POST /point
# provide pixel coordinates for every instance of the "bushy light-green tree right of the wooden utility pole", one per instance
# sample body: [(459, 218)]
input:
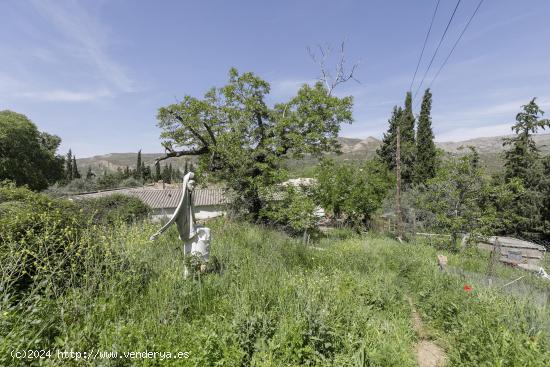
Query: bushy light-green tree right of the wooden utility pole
[(460, 200)]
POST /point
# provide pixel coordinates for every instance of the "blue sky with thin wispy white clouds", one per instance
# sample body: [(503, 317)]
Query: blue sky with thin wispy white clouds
[(96, 72)]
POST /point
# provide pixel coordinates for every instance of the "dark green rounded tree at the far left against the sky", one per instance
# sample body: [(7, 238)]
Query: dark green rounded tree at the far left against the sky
[(28, 156)]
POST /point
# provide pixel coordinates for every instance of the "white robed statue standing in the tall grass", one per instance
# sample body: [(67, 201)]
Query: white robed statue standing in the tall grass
[(196, 238)]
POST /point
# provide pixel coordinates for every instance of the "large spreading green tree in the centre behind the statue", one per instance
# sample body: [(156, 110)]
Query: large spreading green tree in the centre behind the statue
[(241, 139)]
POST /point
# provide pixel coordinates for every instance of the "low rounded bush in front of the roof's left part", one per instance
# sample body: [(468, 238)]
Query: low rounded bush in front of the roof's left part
[(111, 209)]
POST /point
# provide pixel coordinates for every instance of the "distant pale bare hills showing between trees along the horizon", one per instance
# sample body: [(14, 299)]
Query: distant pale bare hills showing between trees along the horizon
[(352, 149)]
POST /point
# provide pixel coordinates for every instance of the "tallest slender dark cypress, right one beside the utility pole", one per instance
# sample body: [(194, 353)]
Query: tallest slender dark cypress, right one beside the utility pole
[(426, 153)]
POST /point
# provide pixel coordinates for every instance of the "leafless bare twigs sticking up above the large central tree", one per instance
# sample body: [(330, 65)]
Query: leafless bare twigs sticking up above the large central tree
[(341, 75)]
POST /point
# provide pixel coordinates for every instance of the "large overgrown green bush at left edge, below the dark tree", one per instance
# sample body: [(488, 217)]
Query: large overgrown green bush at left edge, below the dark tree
[(39, 240)]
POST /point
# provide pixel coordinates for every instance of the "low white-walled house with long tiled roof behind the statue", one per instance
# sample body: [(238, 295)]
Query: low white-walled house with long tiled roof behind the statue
[(208, 203)]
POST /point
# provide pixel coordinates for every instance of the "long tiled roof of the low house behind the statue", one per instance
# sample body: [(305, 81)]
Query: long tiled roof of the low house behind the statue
[(167, 198)]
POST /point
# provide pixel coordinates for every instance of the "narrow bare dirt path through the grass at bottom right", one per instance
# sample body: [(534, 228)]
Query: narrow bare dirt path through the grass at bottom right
[(428, 354)]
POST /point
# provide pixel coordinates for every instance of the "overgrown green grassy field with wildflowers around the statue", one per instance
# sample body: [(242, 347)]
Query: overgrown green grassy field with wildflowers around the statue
[(275, 303)]
